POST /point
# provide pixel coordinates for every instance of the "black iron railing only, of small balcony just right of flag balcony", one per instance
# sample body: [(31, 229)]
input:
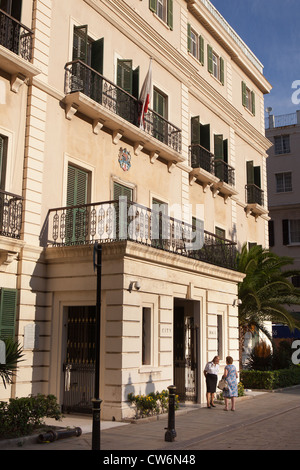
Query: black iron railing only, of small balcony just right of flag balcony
[(200, 157)]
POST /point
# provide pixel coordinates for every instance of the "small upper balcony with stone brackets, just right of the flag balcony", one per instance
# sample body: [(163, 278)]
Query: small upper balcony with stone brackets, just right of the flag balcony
[(211, 171)]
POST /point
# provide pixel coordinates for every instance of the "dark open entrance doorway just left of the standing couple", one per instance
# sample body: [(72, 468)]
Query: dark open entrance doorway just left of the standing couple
[(186, 351)]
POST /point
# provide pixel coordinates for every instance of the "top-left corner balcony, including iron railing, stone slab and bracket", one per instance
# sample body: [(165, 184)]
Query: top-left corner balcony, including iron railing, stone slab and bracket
[(16, 50)]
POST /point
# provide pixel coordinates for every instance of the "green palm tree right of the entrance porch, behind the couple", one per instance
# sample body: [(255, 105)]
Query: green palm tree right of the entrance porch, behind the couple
[(266, 291)]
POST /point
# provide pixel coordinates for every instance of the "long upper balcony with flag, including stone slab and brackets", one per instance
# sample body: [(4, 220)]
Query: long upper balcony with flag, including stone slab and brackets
[(108, 105)]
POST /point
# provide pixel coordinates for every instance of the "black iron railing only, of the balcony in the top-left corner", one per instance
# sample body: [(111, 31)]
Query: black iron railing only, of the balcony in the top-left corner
[(15, 36)]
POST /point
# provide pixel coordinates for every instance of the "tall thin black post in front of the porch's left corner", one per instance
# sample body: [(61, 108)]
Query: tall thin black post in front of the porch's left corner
[(96, 400)]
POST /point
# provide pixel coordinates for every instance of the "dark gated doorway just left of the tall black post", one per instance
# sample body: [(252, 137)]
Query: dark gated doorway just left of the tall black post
[(79, 363)]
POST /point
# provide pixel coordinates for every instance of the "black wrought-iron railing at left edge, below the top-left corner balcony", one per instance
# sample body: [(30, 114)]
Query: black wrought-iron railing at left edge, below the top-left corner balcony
[(11, 208)]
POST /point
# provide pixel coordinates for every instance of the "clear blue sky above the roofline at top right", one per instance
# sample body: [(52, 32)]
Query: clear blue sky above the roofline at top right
[(271, 29)]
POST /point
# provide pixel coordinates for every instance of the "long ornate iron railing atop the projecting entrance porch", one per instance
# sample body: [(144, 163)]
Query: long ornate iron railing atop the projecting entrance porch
[(113, 221)]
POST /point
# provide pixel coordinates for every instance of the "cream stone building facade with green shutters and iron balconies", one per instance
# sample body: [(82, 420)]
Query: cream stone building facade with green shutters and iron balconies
[(83, 170)]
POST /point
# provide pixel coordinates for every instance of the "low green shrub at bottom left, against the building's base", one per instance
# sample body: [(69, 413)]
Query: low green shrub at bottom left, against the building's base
[(20, 416)]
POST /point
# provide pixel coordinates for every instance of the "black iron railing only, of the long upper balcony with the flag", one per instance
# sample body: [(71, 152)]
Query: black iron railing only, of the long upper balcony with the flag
[(80, 77)]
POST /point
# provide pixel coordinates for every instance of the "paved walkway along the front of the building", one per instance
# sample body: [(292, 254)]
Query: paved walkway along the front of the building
[(195, 426)]
